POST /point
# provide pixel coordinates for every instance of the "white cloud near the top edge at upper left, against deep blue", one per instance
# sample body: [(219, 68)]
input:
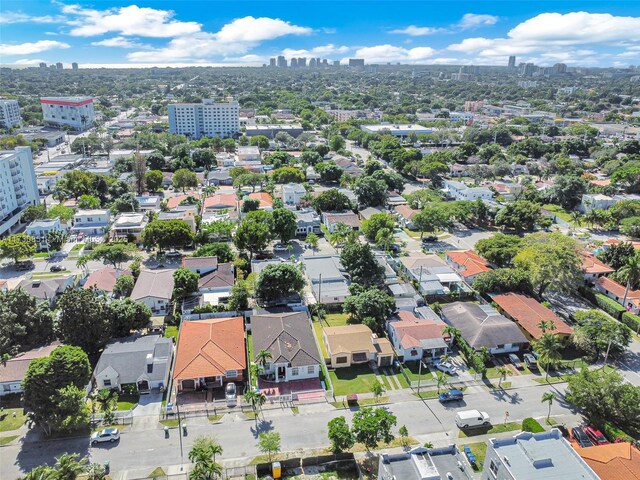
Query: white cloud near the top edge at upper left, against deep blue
[(131, 20)]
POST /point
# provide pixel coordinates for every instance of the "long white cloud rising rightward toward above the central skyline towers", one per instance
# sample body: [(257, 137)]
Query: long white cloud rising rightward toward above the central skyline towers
[(234, 38)]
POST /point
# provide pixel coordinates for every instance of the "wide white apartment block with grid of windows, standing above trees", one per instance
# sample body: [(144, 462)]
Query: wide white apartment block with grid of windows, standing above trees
[(206, 119)]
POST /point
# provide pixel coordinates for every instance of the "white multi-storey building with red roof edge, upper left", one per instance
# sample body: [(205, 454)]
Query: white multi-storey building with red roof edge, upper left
[(74, 112)]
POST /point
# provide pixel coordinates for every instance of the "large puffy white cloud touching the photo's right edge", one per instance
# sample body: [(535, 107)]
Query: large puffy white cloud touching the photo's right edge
[(550, 37)]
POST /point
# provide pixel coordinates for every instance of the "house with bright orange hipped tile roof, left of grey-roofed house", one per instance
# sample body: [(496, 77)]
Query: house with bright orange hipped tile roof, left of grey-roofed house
[(210, 353)]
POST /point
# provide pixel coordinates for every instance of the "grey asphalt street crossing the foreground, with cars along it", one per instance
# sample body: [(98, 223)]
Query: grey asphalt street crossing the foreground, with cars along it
[(148, 449)]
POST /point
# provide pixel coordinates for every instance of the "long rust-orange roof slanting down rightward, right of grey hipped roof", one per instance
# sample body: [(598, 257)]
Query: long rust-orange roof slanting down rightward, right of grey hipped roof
[(528, 313)]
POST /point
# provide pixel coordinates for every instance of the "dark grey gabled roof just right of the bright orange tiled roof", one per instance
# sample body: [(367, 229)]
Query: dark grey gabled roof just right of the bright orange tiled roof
[(287, 336)]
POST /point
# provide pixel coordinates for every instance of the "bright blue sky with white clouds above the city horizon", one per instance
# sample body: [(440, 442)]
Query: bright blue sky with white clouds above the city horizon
[(179, 32)]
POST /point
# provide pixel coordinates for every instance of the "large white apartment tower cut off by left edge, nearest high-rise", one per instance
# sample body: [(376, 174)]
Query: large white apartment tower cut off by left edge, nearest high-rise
[(18, 187)]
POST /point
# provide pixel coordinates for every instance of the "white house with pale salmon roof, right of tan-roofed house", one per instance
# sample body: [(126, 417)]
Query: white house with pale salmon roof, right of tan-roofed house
[(417, 338)]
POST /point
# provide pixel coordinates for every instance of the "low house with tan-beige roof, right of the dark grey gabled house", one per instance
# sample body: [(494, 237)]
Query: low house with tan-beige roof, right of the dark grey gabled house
[(352, 344)]
